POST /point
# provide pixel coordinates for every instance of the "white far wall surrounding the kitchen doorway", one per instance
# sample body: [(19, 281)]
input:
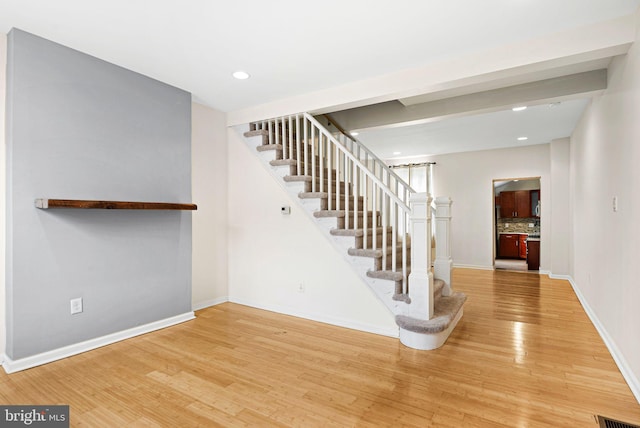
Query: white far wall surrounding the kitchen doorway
[(467, 178)]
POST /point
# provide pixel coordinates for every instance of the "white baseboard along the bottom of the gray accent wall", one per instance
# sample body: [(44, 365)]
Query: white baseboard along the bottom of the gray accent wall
[(11, 366)]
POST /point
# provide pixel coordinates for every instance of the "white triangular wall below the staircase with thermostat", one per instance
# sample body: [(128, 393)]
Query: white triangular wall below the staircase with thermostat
[(270, 254)]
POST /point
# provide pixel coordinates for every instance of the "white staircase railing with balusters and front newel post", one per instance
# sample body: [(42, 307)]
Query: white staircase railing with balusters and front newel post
[(376, 202)]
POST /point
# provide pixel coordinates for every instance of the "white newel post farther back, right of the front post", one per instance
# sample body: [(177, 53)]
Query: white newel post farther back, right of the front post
[(443, 263)]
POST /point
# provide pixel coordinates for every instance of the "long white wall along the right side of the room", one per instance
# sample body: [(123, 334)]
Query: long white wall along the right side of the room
[(605, 154)]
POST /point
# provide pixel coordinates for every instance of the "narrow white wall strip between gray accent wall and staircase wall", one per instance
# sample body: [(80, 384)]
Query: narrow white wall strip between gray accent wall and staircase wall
[(209, 190)]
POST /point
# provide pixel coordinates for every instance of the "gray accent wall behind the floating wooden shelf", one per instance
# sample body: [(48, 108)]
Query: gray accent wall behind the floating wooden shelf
[(81, 128)]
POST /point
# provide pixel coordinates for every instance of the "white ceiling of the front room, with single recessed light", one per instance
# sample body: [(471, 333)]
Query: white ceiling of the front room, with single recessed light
[(288, 46)]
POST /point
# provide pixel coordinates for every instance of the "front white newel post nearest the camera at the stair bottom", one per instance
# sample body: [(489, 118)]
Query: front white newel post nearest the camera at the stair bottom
[(421, 278)]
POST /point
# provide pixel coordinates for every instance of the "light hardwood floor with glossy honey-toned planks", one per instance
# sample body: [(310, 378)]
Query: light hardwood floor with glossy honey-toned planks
[(524, 355)]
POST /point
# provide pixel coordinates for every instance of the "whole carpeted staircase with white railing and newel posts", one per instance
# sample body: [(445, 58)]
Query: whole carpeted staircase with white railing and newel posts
[(372, 217)]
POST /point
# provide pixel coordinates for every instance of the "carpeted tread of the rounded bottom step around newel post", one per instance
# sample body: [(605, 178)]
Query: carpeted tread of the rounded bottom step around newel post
[(445, 310)]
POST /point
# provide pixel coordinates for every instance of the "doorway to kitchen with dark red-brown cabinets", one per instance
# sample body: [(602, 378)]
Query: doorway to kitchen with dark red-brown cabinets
[(517, 223)]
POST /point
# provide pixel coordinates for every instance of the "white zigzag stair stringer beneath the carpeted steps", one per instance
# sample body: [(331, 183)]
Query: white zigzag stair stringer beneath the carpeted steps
[(382, 288)]
